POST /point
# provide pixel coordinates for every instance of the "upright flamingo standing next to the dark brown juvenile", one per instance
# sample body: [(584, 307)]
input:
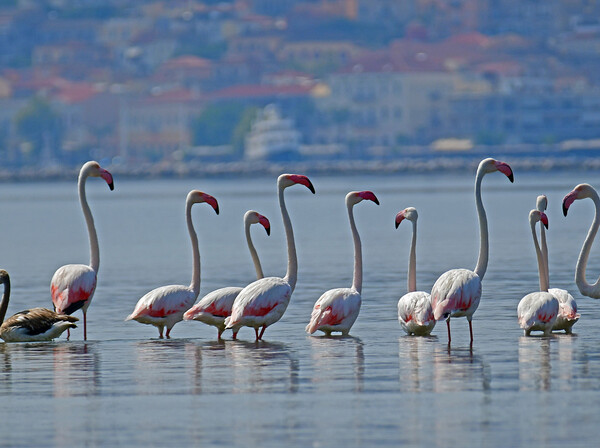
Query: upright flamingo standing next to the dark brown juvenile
[(73, 285)]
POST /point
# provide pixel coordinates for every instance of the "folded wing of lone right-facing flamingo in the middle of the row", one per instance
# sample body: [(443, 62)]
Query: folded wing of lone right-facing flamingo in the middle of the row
[(333, 308)]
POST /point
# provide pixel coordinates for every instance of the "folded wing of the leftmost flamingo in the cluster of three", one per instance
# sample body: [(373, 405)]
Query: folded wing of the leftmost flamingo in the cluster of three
[(162, 302)]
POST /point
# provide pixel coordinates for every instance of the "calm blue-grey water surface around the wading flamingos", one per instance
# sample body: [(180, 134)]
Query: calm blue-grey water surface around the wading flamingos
[(126, 387)]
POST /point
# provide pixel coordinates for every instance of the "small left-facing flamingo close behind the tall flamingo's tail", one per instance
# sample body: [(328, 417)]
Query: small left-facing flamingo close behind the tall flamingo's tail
[(414, 308)]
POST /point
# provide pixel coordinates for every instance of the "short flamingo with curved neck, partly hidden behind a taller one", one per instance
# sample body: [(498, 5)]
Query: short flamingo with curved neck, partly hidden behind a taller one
[(215, 306)]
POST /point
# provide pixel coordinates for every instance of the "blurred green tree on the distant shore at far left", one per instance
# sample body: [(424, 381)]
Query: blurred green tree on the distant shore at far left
[(39, 127)]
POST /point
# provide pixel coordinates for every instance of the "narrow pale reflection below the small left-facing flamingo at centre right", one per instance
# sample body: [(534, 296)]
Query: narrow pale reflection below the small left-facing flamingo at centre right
[(415, 355)]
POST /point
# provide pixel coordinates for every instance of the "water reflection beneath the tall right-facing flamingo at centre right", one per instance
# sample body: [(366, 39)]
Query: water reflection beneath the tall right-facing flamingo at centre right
[(459, 369)]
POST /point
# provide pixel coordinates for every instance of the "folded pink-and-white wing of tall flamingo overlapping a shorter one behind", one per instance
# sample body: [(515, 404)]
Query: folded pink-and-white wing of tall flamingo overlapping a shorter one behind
[(260, 298)]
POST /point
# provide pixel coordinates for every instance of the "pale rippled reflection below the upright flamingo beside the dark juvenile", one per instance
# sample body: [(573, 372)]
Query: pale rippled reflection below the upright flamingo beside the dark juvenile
[(76, 369)]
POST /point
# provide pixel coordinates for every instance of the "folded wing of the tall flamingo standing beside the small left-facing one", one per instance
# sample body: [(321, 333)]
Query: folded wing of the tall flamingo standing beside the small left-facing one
[(455, 291)]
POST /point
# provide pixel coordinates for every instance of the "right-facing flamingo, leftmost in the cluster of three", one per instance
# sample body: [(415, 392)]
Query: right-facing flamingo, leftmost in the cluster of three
[(165, 306)]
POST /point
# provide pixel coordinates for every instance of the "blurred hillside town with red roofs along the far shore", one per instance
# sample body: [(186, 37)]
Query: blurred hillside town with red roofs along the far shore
[(159, 82)]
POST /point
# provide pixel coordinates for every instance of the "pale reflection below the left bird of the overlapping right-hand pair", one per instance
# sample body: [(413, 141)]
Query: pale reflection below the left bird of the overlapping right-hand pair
[(534, 363)]
